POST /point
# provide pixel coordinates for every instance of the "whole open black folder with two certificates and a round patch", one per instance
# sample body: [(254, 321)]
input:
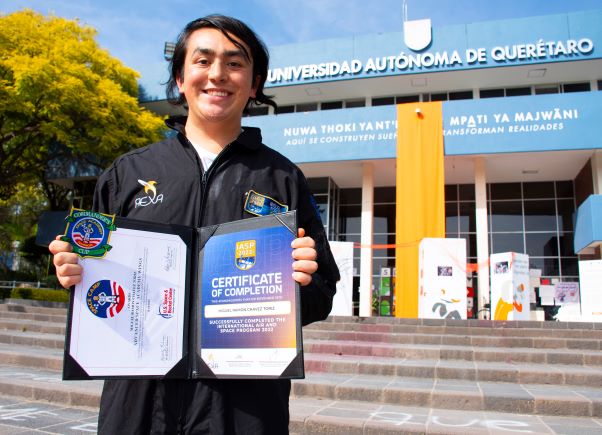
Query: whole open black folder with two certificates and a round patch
[(167, 301)]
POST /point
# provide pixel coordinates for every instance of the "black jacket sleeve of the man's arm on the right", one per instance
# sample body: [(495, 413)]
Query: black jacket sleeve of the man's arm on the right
[(316, 297)]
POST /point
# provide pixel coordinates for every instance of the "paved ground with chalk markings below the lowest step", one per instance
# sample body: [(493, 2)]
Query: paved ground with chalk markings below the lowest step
[(30, 417)]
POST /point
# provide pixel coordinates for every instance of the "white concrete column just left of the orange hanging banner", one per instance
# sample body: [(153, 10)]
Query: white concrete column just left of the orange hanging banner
[(366, 240)]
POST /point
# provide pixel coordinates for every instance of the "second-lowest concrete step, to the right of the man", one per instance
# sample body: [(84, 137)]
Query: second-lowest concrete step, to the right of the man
[(526, 373)]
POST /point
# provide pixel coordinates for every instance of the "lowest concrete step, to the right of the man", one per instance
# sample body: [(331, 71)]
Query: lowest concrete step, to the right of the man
[(536, 399)]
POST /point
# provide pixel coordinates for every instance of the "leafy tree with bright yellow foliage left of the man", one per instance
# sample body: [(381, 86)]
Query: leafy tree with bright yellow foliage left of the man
[(57, 86)]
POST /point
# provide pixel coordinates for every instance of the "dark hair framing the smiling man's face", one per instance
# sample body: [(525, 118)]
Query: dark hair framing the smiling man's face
[(231, 28)]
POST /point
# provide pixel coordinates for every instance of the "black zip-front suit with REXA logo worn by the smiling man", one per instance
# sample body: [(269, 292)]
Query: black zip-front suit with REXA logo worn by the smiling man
[(164, 182)]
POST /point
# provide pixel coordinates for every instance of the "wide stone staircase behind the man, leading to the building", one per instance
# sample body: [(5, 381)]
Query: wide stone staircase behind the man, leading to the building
[(380, 375)]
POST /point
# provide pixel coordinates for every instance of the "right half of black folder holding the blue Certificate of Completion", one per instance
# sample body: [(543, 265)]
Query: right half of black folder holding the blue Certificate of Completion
[(247, 313)]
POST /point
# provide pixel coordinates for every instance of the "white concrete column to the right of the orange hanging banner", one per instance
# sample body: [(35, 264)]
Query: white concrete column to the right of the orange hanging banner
[(482, 234)]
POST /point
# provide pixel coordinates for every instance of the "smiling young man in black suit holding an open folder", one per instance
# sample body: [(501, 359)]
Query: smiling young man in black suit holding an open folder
[(205, 175)]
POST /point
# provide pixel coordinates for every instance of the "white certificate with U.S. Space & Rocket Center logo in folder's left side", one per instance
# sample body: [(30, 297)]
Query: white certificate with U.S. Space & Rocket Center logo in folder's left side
[(128, 312)]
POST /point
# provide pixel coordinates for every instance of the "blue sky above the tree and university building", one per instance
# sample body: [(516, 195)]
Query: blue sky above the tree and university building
[(135, 31)]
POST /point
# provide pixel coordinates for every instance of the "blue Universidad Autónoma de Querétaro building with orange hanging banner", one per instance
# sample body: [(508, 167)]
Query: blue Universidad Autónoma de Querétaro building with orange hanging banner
[(490, 132)]
